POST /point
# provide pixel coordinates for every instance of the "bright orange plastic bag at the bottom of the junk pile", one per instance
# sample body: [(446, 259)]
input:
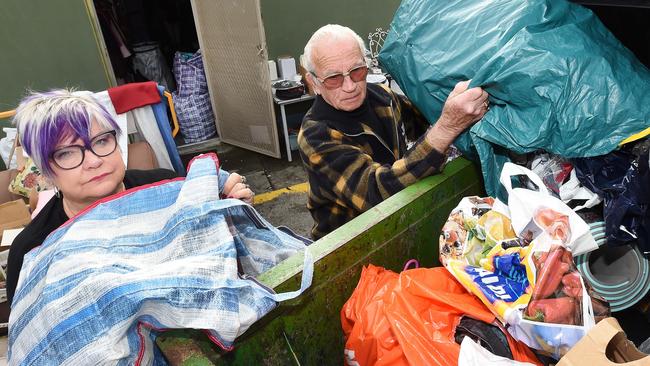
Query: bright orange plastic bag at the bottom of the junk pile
[(410, 318)]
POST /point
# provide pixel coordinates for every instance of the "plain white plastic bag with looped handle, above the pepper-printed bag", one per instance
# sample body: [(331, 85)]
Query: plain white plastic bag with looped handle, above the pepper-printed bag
[(524, 207)]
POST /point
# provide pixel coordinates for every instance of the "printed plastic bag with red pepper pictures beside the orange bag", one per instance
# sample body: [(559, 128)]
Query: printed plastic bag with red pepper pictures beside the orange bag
[(528, 282)]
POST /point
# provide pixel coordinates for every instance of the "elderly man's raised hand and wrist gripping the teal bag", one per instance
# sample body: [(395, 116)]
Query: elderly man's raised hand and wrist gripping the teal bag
[(463, 108)]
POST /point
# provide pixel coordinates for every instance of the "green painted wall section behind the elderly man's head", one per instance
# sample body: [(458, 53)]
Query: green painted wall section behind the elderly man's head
[(289, 23)]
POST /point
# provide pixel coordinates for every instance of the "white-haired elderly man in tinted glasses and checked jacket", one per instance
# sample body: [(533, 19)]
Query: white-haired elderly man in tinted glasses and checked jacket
[(353, 140)]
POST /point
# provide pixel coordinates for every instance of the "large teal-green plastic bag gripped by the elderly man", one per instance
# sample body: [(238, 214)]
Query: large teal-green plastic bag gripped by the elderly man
[(558, 79)]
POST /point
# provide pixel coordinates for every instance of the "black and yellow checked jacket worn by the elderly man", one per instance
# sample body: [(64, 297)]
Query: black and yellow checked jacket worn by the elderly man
[(350, 167)]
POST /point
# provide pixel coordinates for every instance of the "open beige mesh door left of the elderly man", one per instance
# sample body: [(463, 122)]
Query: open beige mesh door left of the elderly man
[(233, 45)]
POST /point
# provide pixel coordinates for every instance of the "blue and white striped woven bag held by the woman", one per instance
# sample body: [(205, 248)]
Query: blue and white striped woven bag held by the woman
[(159, 257)]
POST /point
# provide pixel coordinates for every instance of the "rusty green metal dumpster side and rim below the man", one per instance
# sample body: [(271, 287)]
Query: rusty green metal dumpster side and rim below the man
[(307, 330)]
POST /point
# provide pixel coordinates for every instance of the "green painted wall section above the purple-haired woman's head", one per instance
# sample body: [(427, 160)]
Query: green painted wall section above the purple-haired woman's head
[(46, 44)]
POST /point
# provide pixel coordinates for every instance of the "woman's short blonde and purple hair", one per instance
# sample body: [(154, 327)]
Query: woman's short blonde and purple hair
[(44, 119)]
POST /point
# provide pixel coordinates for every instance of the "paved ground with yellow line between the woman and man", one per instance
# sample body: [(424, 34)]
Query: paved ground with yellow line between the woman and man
[(280, 186)]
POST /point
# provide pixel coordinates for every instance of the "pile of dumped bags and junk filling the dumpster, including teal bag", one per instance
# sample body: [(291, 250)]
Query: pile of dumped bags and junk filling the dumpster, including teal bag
[(551, 265)]
